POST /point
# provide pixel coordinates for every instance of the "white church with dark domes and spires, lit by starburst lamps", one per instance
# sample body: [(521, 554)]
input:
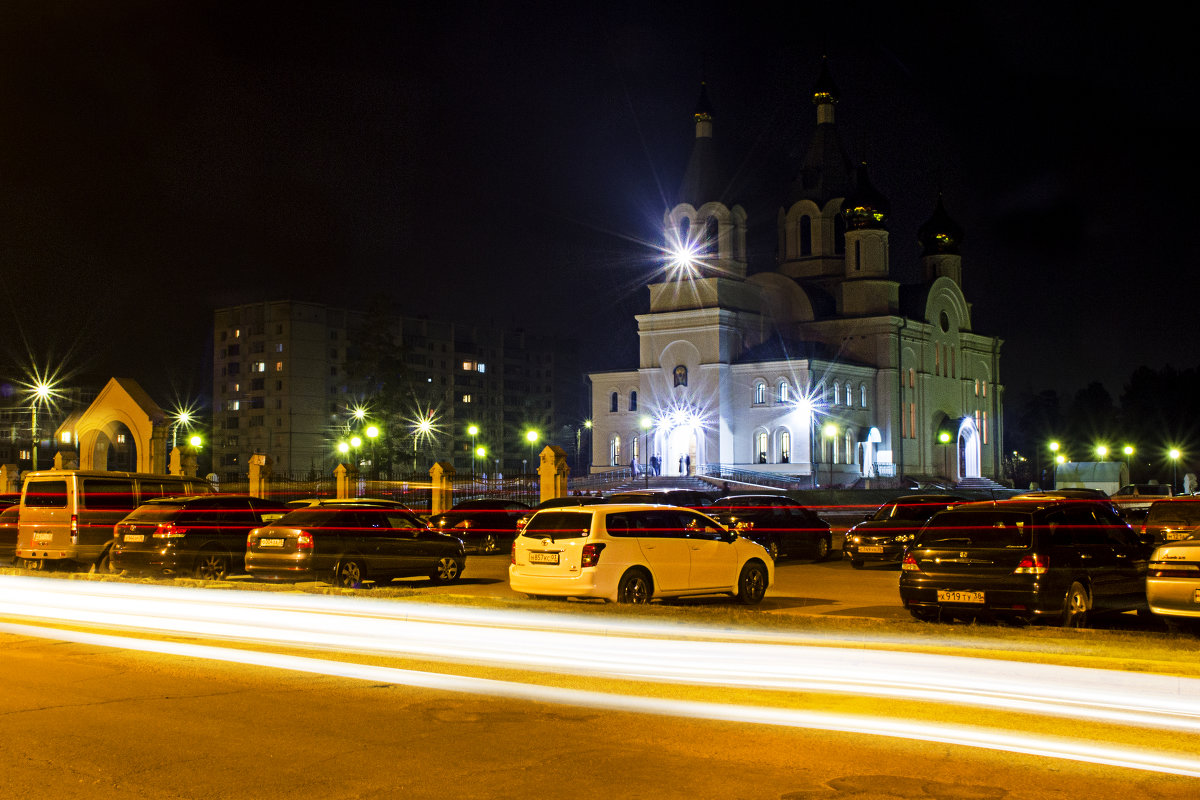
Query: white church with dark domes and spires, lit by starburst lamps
[(825, 369)]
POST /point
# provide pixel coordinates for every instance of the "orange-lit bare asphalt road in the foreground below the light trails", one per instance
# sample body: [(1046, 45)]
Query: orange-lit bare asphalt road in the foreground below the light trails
[(94, 723)]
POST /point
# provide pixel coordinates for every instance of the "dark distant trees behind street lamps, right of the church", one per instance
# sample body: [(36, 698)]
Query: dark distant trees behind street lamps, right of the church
[(1159, 410)]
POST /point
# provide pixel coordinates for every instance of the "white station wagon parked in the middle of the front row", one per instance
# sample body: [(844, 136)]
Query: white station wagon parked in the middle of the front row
[(634, 554)]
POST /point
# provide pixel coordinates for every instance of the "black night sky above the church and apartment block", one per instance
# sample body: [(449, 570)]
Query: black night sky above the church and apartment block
[(511, 164)]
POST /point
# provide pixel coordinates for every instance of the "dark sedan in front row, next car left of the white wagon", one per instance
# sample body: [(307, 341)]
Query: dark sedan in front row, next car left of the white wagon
[(353, 544)]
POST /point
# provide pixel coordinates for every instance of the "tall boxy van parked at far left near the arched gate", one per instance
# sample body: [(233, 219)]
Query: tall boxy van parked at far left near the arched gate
[(68, 516)]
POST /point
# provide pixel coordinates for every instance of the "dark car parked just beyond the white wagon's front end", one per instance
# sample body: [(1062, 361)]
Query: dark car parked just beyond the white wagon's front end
[(777, 522)]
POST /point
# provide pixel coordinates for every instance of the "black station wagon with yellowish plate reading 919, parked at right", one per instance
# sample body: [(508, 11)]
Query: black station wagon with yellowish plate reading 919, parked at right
[(1053, 560)]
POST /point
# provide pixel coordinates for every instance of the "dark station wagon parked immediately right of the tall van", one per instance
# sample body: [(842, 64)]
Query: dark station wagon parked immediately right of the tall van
[(202, 537)]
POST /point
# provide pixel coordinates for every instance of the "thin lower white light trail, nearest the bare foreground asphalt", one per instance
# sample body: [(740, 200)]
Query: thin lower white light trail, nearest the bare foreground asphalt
[(940, 733)]
